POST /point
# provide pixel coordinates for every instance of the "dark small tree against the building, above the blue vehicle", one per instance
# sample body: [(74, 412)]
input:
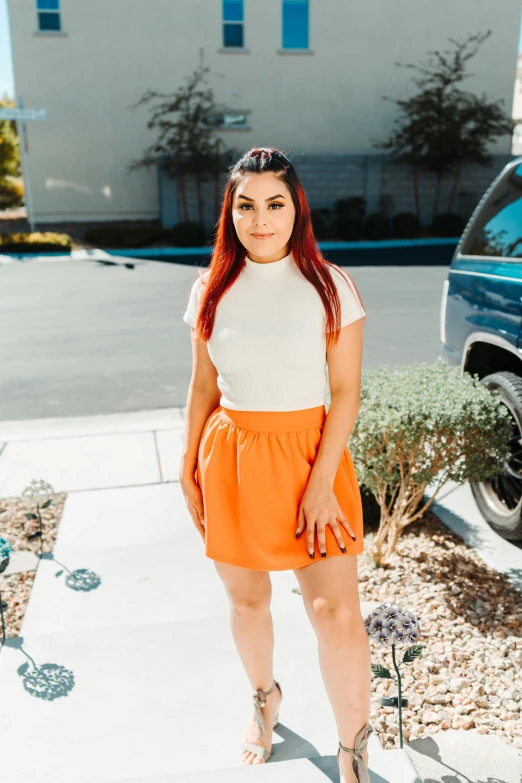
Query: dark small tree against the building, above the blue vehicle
[(442, 127)]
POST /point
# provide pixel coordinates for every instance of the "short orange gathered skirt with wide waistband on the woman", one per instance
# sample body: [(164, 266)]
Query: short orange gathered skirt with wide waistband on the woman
[(253, 468)]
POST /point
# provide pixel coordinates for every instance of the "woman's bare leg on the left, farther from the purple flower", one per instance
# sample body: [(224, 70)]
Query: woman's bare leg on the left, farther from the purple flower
[(249, 593)]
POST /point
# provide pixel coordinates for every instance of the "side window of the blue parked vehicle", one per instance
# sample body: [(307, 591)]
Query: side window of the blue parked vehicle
[(497, 230)]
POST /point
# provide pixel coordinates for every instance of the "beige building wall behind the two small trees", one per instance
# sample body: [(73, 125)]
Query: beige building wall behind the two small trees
[(326, 102)]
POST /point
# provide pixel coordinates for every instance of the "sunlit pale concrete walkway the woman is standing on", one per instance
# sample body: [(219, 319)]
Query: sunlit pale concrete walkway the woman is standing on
[(126, 670)]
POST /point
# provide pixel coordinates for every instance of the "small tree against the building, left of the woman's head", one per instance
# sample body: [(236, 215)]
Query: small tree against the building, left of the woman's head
[(186, 139)]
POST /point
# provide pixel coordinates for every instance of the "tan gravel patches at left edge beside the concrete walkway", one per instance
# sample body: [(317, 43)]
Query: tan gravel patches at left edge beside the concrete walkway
[(16, 588)]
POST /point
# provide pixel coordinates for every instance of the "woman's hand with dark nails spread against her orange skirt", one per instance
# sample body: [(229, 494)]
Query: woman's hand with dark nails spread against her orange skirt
[(319, 507)]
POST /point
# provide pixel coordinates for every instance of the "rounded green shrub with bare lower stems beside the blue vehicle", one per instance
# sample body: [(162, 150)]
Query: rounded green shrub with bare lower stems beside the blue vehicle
[(422, 425)]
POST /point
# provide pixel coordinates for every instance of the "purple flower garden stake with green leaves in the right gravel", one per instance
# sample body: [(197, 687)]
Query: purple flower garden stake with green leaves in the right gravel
[(390, 625)]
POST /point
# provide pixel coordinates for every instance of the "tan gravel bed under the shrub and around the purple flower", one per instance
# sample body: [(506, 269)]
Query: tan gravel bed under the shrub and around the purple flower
[(469, 674)]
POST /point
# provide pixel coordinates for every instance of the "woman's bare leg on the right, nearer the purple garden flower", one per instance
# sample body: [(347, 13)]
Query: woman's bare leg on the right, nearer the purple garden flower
[(331, 598)]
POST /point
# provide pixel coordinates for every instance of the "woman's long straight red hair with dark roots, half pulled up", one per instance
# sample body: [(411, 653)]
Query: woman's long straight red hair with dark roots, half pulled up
[(229, 254)]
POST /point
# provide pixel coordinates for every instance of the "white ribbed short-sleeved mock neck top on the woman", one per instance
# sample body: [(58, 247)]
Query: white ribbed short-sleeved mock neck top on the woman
[(268, 343)]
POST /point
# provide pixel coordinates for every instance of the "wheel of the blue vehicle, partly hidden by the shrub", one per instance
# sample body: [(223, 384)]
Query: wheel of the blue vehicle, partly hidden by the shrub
[(500, 499)]
